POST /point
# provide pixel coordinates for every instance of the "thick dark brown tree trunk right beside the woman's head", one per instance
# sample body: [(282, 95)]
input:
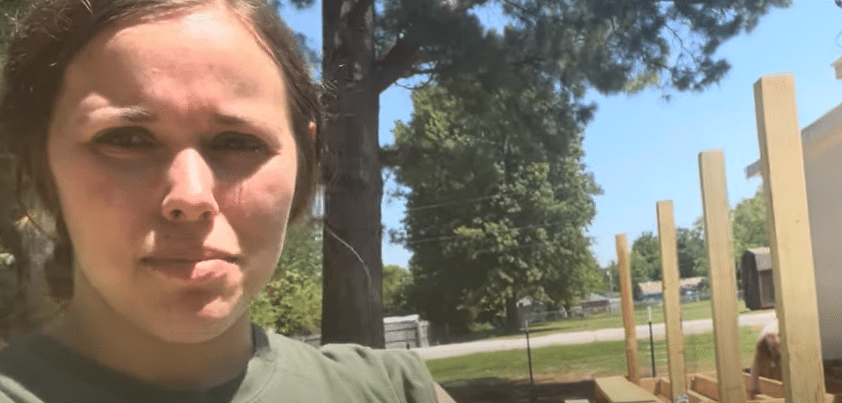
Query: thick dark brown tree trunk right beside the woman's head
[(352, 304)]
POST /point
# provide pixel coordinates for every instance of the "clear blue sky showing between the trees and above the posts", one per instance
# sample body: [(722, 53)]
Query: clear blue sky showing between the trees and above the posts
[(643, 149)]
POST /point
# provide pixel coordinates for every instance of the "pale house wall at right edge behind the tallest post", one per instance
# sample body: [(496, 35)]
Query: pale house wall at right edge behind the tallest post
[(822, 148)]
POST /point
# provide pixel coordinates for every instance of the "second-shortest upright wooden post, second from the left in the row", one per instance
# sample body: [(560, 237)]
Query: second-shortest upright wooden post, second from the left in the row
[(672, 304)]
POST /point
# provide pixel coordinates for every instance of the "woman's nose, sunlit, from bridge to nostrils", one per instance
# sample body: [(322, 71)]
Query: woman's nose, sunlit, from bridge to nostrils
[(191, 182)]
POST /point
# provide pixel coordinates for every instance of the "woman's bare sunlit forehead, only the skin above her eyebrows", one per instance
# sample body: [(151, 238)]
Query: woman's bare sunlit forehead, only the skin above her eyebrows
[(186, 48)]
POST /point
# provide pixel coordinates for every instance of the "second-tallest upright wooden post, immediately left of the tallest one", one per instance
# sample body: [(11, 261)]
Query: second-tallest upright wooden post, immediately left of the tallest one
[(723, 280)]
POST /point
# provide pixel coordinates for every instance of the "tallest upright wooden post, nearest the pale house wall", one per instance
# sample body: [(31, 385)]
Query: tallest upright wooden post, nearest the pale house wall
[(782, 164)]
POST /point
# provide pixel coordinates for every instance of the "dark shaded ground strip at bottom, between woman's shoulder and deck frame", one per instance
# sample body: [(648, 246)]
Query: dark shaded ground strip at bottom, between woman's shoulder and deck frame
[(493, 390)]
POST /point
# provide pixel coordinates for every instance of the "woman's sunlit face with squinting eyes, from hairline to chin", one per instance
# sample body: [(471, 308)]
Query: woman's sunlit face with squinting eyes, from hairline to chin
[(174, 160)]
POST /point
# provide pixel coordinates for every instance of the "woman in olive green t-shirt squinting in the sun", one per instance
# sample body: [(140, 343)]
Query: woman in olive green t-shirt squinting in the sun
[(173, 141)]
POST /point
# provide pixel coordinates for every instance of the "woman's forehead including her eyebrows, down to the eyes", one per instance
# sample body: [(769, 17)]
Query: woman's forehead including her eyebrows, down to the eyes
[(204, 60)]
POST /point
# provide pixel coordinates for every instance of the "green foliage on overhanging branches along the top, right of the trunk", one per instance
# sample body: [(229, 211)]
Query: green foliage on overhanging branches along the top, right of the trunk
[(611, 46)]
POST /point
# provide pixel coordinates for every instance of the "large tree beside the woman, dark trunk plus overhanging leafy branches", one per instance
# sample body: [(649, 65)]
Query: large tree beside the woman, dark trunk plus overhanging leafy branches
[(607, 45)]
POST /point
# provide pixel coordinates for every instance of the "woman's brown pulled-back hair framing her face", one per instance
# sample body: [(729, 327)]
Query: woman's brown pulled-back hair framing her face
[(52, 32)]
